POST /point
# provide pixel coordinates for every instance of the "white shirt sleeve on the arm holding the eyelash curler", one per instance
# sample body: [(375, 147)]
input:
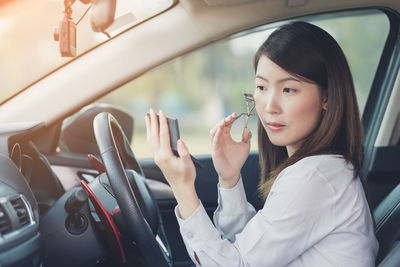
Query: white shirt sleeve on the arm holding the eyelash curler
[(233, 211)]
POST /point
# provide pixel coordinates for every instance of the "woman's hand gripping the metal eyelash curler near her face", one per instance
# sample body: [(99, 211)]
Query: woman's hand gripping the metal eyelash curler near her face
[(228, 155)]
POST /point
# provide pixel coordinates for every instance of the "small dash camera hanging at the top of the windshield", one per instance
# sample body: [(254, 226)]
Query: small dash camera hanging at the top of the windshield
[(65, 33)]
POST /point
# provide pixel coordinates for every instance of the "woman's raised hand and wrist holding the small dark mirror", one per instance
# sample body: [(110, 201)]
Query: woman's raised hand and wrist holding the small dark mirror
[(179, 171)]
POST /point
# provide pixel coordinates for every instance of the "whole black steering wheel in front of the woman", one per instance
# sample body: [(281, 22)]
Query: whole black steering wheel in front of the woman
[(137, 204)]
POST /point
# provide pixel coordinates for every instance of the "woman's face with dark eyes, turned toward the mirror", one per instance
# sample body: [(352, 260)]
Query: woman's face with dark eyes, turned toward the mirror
[(288, 108)]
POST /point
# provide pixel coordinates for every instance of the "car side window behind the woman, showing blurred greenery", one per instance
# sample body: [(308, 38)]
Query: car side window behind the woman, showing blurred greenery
[(203, 86)]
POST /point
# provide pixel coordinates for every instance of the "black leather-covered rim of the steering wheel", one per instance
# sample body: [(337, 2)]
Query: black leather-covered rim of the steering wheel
[(139, 230)]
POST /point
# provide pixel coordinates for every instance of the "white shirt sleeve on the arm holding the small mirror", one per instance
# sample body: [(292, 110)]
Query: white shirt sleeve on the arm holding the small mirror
[(298, 213)]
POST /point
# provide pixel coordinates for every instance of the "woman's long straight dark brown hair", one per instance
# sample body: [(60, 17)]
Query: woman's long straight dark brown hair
[(311, 54)]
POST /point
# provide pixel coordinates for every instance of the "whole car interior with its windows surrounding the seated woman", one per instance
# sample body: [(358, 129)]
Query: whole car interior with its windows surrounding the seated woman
[(78, 185)]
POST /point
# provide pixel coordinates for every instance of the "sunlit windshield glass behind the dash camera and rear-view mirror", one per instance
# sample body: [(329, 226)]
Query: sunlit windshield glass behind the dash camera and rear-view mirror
[(28, 50)]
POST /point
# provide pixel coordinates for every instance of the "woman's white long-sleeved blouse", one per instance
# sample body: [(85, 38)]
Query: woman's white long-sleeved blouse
[(316, 214)]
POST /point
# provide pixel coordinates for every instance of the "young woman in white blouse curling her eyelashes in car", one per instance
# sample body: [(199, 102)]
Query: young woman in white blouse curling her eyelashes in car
[(310, 152)]
